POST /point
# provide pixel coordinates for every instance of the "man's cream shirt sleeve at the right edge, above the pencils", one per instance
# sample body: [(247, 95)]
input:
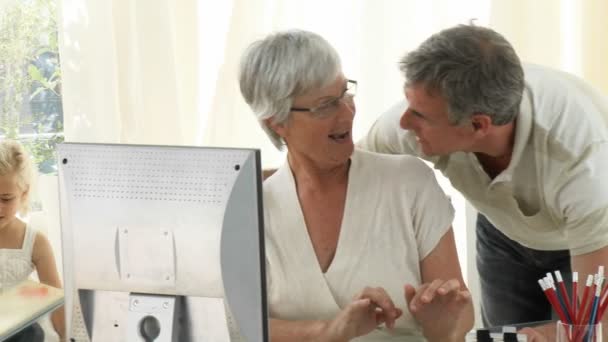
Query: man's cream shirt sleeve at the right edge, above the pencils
[(583, 201)]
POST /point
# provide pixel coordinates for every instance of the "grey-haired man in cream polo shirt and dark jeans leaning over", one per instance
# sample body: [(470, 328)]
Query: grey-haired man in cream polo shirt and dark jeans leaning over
[(527, 146)]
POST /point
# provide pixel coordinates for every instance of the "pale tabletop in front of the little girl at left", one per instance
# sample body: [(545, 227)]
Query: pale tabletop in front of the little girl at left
[(24, 304)]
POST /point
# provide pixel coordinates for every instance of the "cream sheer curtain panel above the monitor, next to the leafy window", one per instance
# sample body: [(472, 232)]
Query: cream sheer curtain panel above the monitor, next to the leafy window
[(129, 71)]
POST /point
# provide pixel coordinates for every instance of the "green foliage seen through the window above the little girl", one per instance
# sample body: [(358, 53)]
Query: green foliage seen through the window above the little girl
[(30, 78)]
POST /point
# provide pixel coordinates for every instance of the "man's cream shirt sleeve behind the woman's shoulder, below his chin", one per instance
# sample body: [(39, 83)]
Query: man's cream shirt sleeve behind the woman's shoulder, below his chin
[(387, 136)]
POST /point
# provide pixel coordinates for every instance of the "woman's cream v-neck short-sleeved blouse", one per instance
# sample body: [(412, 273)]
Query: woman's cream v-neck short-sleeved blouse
[(395, 214)]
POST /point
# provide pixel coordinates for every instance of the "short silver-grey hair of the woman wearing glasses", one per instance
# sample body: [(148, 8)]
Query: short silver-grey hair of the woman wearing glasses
[(283, 65)]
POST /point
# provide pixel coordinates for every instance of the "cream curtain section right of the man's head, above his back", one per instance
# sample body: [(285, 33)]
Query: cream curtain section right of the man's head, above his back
[(565, 34)]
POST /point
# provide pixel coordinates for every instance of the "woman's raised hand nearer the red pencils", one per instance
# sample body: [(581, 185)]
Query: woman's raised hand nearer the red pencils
[(440, 307)]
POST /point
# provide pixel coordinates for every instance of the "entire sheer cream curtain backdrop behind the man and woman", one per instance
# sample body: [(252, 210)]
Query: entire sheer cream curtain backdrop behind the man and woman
[(164, 71)]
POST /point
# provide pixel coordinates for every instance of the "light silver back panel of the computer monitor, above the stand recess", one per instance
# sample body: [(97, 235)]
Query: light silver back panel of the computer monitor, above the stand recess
[(183, 221)]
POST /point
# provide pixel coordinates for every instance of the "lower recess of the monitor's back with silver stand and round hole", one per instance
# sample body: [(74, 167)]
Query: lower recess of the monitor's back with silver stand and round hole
[(103, 316)]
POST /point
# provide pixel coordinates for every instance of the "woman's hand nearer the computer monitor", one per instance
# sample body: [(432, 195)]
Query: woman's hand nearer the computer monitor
[(370, 308)]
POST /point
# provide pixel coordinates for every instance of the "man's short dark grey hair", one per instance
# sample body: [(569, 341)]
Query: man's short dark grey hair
[(474, 68)]
